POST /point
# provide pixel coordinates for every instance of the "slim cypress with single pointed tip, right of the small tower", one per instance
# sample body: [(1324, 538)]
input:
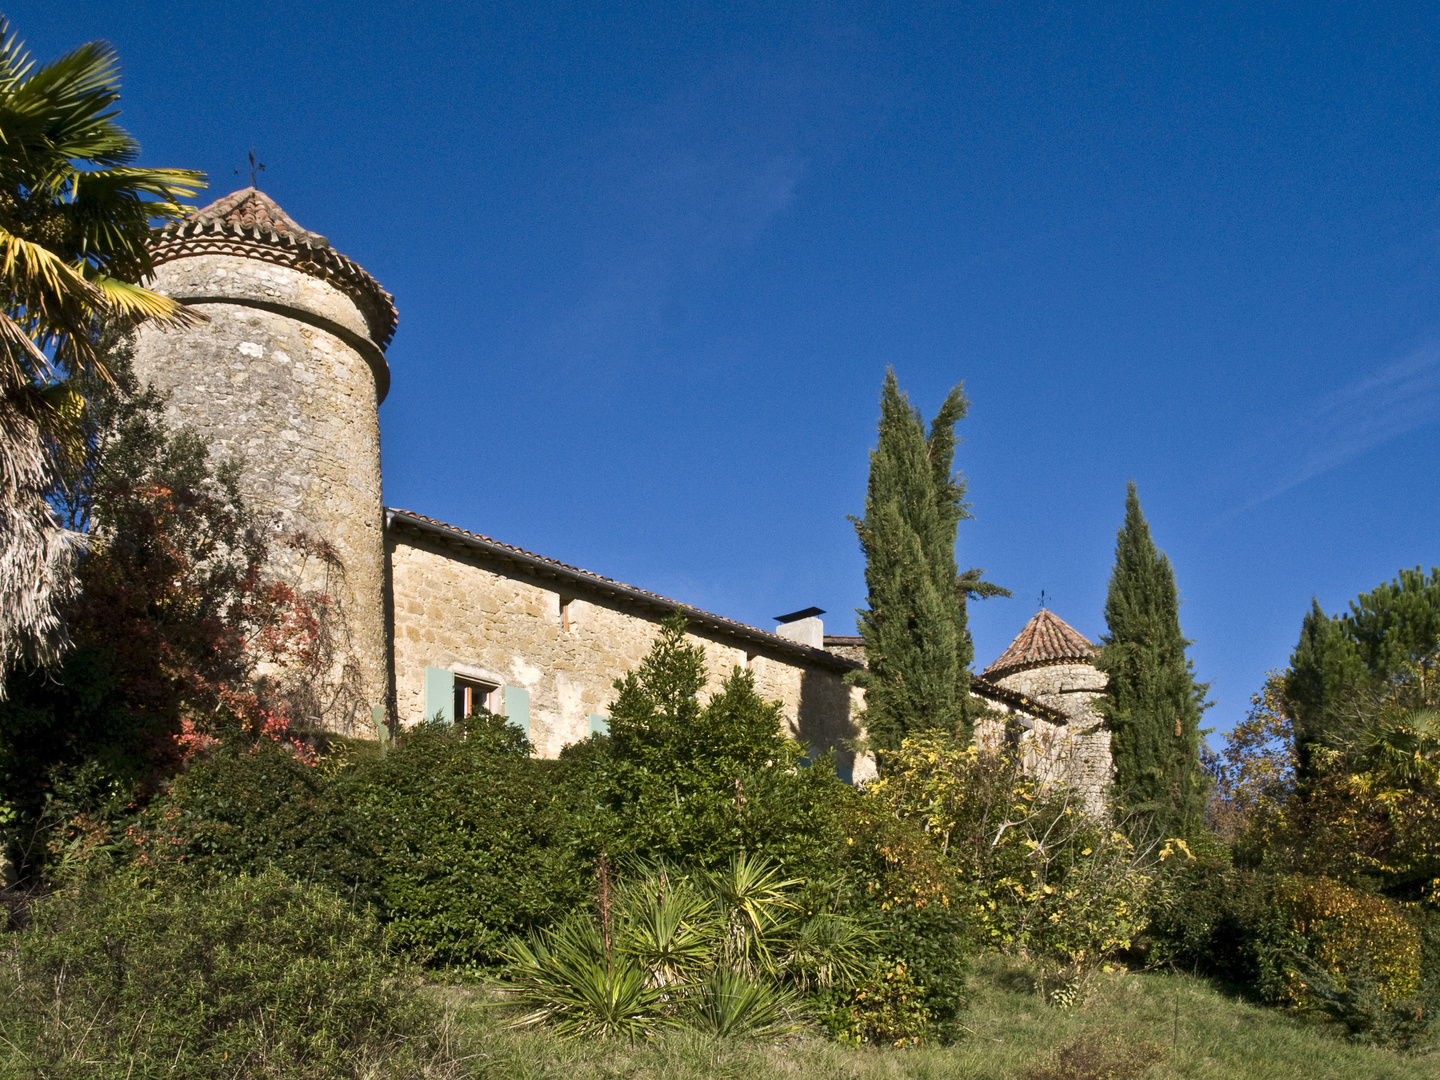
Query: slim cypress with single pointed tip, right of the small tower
[(1154, 702)]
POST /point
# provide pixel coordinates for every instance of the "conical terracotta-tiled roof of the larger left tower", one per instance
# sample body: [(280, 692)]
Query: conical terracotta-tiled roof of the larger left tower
[(253, 225)]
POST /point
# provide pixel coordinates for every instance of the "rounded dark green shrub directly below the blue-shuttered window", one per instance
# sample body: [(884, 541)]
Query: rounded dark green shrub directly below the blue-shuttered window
[(470, 843)]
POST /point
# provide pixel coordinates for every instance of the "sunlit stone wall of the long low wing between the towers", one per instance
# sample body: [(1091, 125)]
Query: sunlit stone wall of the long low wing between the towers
[(460, 611)]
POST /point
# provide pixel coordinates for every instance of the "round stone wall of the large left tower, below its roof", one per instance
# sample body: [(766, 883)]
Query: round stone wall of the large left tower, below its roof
[(284, 378)]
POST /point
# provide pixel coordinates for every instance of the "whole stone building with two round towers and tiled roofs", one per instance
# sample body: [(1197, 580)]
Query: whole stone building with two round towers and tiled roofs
[(289, 372)]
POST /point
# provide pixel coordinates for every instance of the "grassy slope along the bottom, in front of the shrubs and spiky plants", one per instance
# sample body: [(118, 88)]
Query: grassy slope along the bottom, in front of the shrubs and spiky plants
[(1200, 1033)]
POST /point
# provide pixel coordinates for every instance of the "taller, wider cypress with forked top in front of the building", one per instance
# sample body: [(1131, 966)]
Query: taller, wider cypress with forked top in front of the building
[(918, 647)]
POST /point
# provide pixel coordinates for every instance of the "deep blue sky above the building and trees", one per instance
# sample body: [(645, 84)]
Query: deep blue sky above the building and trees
[(652, 264)]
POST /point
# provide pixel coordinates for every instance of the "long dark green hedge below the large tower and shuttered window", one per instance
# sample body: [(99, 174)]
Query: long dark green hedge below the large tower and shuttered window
[(456, 836)]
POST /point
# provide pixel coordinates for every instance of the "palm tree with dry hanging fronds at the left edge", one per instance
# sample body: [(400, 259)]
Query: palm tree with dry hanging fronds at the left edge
[(74, 222)]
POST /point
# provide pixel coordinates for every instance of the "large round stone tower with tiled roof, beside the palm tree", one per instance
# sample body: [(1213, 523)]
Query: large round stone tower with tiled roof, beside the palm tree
[(289, 374)]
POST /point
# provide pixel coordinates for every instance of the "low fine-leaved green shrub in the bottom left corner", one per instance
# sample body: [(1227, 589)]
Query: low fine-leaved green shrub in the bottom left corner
[(250, 977)]
